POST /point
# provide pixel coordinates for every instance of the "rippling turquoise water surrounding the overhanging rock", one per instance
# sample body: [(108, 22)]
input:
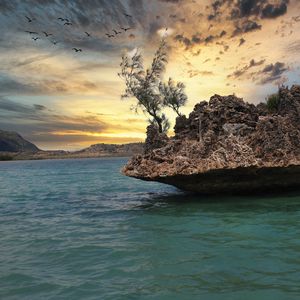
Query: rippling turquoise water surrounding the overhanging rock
[(78, 229)]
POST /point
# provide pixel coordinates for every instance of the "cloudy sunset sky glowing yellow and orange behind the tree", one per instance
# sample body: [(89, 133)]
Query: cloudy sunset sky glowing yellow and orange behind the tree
[(62, 99)]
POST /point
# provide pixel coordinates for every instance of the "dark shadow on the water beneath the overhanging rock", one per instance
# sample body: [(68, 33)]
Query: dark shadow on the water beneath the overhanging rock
[(181, 201)]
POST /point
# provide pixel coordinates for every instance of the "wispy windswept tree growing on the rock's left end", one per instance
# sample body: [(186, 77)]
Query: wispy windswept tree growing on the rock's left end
[(147, 87)]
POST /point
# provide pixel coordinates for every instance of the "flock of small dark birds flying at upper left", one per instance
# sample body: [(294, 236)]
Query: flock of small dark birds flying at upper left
[(35, 36)]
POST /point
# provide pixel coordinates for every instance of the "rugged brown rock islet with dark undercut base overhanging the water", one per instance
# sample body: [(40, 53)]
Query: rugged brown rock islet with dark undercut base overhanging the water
[(227, 146)]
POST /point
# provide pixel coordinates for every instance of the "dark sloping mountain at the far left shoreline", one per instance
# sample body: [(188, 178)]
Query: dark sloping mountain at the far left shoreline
[(13, 142)]
